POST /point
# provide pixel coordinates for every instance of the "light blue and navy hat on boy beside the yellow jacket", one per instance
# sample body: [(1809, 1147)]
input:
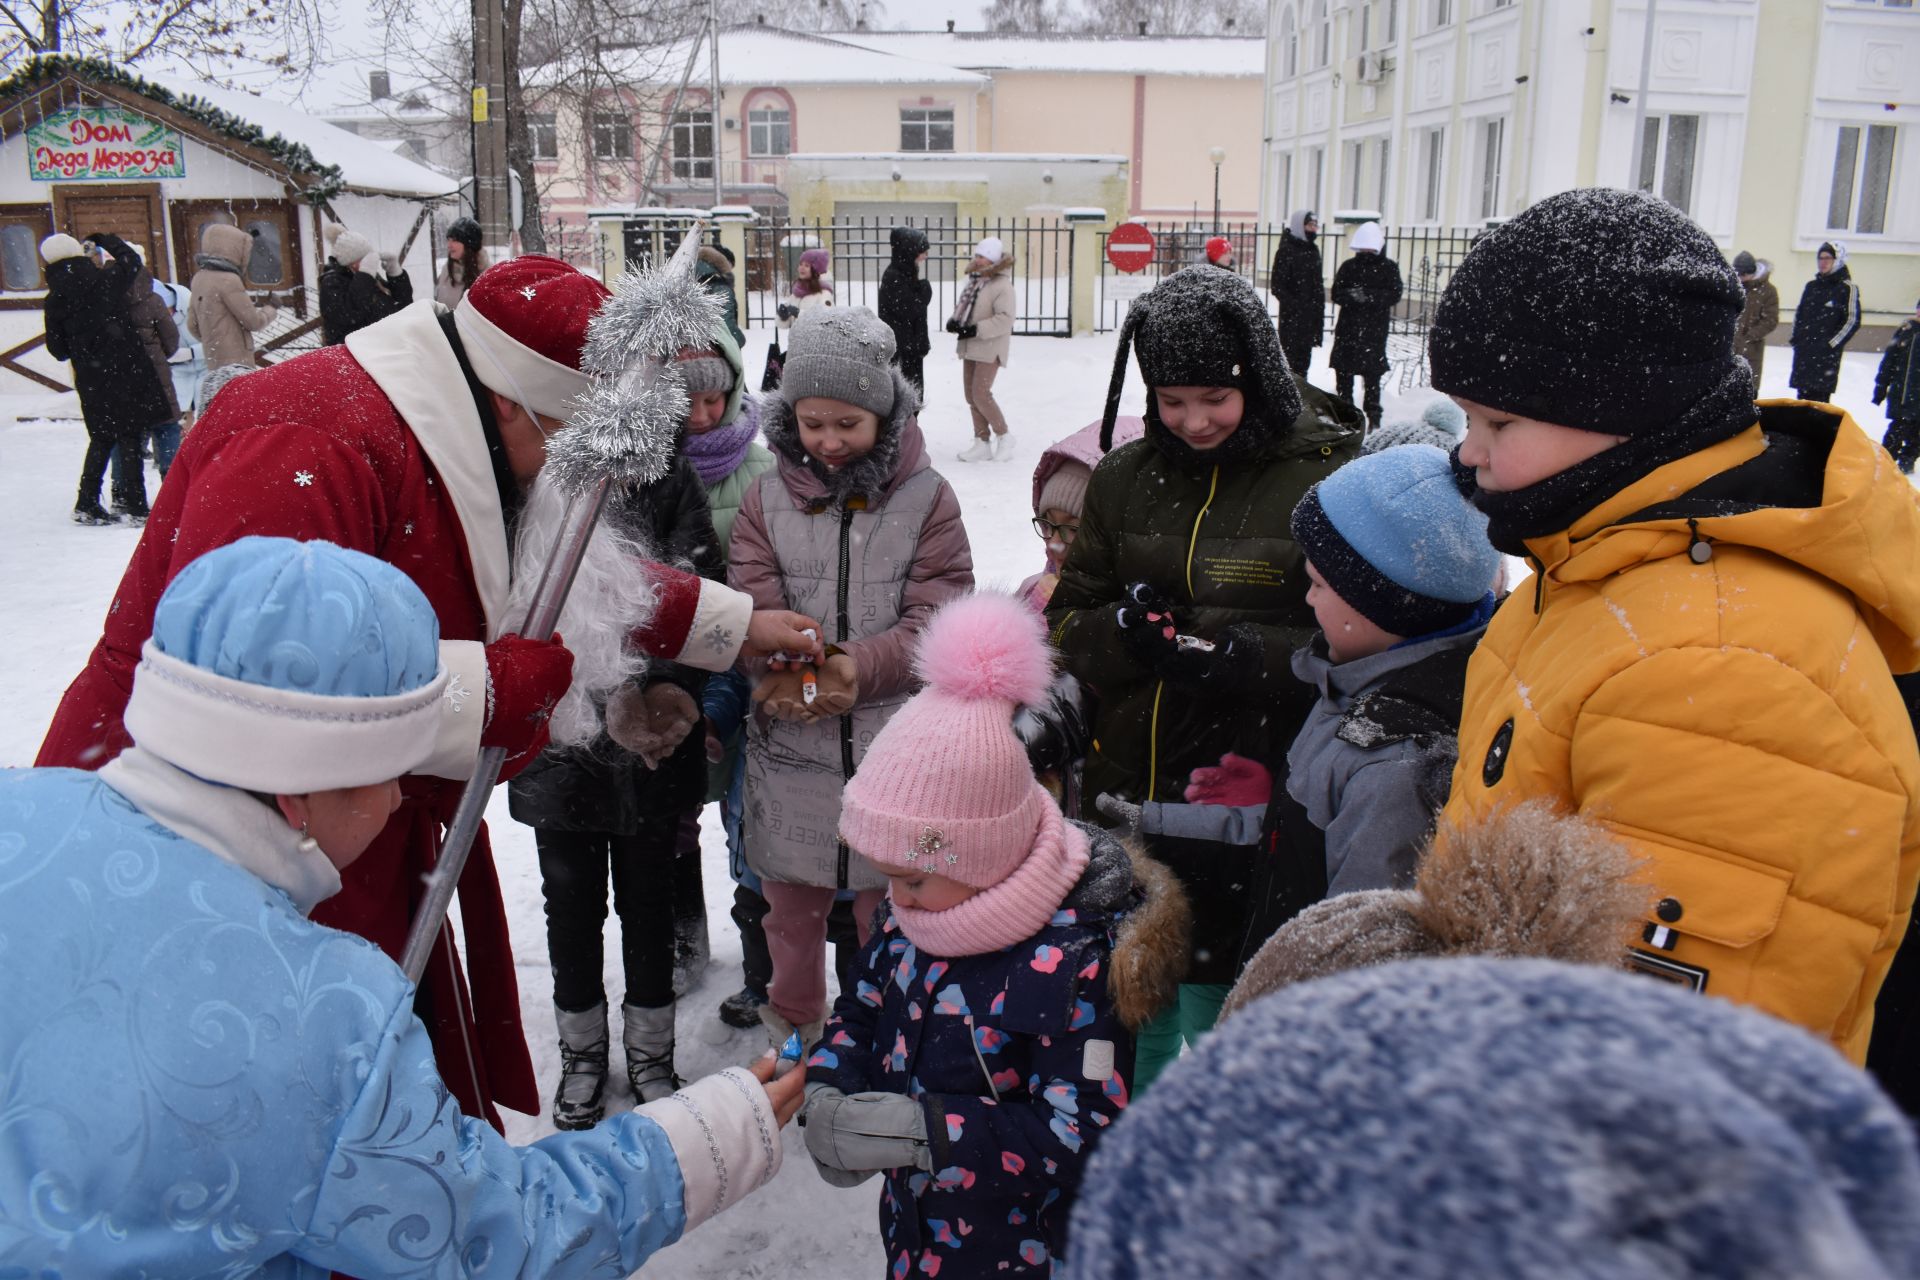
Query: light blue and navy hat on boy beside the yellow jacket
[(1395, 538)]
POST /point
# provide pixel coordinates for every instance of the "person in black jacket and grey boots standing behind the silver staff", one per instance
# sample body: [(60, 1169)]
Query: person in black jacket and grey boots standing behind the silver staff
[(615, 807)]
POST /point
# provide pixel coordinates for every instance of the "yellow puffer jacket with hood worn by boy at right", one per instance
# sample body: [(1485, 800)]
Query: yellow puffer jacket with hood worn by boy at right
[(1708, 669)]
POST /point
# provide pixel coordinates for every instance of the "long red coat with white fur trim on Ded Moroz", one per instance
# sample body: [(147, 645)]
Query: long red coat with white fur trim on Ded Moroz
[(377, 446)]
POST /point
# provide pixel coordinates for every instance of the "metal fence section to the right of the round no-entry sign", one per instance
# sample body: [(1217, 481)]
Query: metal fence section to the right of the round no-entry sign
[(1426, 256)]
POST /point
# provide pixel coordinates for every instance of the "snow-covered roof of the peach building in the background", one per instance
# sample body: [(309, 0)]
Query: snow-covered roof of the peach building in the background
[(997, 51)]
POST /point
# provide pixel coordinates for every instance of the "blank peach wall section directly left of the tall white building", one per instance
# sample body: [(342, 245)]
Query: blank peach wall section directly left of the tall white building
[(1186, 118)]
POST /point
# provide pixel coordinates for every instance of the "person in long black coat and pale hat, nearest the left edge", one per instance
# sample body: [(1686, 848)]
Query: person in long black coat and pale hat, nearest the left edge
[(122, 396)]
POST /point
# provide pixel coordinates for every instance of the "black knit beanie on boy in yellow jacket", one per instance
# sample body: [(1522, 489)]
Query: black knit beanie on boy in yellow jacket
[(1602, 310)]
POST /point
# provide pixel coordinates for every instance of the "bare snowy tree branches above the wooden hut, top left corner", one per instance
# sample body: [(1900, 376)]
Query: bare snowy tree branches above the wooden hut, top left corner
[(212, 37)]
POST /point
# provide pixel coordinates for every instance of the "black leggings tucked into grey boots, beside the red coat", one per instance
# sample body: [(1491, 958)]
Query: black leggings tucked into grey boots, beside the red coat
[(573, 876)]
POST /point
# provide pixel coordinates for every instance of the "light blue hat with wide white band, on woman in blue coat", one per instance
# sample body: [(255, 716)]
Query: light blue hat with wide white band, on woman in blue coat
[(291, 667)]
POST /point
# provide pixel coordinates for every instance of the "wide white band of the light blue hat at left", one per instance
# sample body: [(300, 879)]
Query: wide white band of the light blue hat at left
[(276, 740)]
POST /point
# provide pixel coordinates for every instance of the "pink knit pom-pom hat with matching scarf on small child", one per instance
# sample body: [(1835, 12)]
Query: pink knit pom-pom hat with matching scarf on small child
[(948, 788)]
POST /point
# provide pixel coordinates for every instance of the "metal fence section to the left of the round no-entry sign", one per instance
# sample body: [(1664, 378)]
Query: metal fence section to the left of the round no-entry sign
[(861, 252)]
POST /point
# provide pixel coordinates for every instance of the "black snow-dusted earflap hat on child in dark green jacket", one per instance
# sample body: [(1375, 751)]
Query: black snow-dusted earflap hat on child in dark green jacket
[(1205, 327)]
